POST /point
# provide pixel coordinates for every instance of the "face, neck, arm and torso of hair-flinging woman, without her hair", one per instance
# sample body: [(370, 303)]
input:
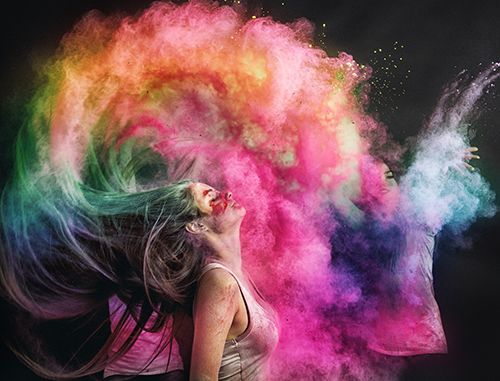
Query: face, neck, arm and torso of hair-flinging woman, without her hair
[(235, 331)]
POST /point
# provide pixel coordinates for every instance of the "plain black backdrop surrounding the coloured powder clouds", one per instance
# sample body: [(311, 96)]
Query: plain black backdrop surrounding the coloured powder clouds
[(435, 39)]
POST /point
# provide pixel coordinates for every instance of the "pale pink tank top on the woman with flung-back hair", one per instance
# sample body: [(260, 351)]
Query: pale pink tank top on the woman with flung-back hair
[(246, 357)]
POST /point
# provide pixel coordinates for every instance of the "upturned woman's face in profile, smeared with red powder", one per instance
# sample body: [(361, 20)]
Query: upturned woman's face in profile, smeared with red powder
[(221, 210)]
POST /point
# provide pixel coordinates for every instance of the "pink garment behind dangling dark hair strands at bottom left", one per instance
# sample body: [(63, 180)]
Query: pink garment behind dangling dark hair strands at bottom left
[(137, 360)]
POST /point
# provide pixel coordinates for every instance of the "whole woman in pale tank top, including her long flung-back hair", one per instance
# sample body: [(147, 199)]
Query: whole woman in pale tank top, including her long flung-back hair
[(146, 248)]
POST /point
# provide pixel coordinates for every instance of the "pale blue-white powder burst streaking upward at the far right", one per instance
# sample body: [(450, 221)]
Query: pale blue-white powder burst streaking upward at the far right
[(439, 190)]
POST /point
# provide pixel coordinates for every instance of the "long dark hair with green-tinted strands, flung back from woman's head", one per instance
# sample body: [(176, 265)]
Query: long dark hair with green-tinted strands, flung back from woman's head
[(70, 241)]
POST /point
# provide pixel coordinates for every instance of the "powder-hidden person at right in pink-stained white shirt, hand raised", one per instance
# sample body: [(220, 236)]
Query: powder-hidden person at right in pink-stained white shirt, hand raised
[(391, 257)]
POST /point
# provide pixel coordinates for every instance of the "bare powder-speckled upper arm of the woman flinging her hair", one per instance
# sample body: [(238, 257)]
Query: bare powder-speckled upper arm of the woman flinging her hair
[(215, 308)]
